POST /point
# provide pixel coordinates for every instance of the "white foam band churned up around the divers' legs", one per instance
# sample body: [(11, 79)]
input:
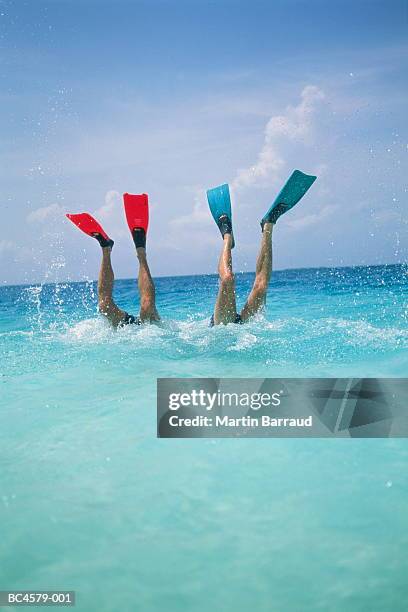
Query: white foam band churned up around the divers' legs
[(283, 334)]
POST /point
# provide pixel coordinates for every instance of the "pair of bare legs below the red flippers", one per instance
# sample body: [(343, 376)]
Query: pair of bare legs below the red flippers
[(107, 306)]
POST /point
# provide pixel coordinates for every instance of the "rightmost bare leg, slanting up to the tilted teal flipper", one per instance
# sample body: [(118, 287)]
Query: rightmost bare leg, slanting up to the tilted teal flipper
[(256, 298)]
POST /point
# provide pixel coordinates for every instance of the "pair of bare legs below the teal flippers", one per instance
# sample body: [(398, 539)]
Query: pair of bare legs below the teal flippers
[(225, 307)]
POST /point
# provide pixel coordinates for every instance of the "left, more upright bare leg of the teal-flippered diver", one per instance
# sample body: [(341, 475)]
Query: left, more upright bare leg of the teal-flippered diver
[(225, 310)]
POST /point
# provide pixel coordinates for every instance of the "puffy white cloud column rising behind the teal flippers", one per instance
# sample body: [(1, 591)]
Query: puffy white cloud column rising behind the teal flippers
[(295, 124)]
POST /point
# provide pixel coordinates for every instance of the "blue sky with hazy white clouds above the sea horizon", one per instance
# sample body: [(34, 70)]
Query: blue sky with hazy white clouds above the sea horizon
[(174, 97)]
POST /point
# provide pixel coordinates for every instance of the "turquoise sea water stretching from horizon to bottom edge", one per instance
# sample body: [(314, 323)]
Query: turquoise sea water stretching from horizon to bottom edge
[(92, 501)]
